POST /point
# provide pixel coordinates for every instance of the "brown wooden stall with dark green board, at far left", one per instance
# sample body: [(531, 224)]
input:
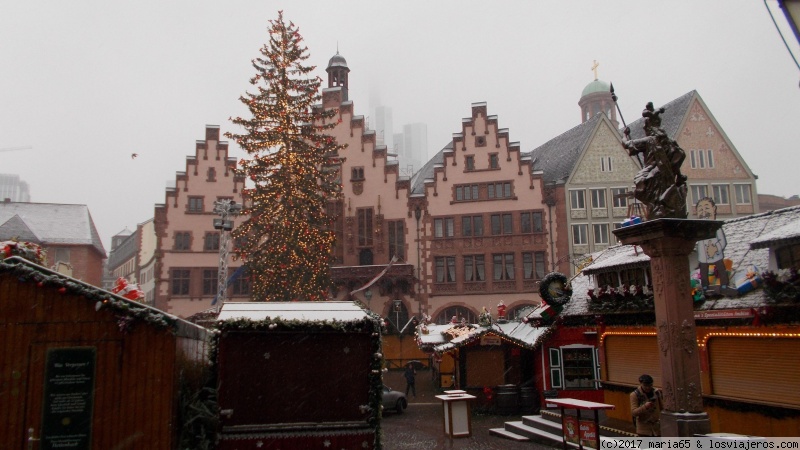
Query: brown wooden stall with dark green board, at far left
[(81, 367)]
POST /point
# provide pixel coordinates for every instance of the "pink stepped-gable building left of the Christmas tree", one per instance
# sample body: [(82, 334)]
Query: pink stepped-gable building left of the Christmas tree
[(187, 245)]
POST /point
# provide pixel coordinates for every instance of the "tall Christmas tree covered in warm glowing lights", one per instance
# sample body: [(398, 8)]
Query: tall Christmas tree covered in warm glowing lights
[(287, 241)]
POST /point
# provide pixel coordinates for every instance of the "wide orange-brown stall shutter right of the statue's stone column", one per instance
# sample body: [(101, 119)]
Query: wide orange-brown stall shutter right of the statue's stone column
[(763, 369)]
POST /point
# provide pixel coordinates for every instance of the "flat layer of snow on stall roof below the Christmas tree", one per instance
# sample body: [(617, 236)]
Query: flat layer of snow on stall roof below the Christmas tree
[(302, 311)]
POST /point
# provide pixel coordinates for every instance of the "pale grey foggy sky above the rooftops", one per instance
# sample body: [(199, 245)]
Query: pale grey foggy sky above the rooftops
[(87, 83)]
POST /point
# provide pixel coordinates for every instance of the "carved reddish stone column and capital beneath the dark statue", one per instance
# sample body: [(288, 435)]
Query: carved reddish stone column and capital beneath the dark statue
[(668, 243)]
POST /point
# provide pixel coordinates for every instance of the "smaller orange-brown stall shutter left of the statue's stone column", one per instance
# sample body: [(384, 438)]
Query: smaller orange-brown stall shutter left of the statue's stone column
[(628, 357)]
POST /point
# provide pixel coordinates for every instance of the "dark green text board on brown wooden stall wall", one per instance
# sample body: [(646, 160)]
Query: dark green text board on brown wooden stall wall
[(68, 398)]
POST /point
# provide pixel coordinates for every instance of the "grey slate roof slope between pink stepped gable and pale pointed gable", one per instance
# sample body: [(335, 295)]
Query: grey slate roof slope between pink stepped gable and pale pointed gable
[(557, 157)]
